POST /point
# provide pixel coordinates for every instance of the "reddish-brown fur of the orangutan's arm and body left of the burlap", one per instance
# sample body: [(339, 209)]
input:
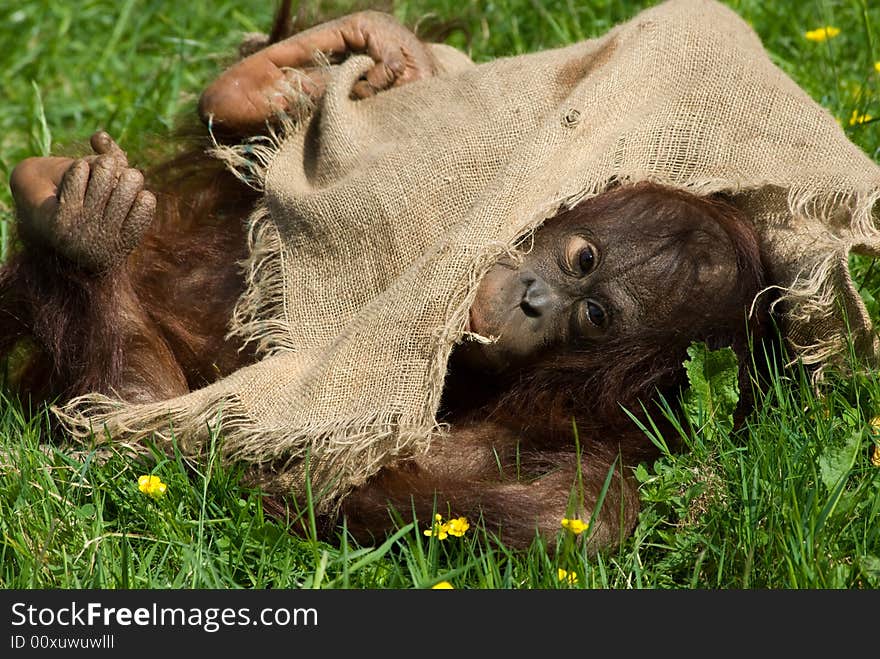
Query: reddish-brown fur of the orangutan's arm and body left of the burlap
[(144, 331)]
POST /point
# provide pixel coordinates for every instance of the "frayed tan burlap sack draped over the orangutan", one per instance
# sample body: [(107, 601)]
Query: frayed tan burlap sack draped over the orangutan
[(380, 216)]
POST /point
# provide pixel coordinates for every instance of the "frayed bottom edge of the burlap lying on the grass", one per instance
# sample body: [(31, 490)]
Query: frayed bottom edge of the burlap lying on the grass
[(335, 457)]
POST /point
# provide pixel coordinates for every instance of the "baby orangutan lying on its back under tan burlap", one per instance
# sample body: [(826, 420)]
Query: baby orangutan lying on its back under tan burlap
[(126, 286)]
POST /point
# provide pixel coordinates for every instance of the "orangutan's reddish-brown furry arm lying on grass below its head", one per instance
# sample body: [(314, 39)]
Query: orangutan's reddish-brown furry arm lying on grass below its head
[(515, 480)]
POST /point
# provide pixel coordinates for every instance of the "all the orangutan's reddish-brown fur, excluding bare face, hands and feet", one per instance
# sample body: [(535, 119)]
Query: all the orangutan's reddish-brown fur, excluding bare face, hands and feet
[(156, 328)]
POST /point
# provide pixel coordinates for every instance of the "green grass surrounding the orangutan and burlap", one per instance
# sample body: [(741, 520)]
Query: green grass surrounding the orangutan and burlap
[(788, 501)]
